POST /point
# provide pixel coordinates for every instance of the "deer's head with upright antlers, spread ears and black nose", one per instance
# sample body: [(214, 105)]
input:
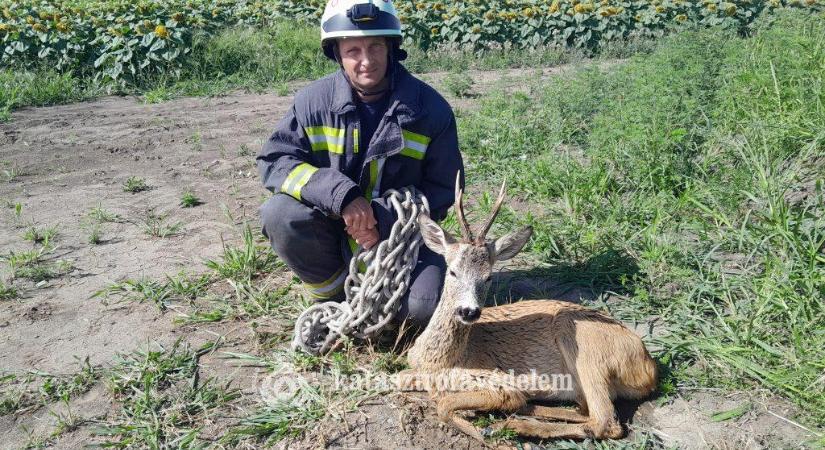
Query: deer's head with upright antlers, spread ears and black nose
[(470, 260)]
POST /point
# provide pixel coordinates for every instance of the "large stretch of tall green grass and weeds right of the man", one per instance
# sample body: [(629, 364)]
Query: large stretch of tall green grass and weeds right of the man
[(687, 183)]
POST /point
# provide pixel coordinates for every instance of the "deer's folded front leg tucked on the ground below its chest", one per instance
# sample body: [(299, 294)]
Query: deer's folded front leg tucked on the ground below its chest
[(501, 400)]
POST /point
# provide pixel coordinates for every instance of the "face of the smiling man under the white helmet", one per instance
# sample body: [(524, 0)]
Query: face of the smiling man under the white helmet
[(365, 60)]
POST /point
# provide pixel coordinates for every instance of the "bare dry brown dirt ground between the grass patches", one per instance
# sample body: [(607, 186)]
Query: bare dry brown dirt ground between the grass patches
[(65, 160)]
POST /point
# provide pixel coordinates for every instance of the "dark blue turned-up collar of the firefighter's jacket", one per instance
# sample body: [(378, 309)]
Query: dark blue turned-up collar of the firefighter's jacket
[(405, 95)]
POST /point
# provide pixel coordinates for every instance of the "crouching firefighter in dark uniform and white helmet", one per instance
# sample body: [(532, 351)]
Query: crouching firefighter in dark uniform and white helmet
[(369, 127)]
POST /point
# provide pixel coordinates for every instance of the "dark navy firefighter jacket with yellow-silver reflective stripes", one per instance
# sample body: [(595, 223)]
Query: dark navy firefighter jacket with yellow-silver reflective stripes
[(316, 144)]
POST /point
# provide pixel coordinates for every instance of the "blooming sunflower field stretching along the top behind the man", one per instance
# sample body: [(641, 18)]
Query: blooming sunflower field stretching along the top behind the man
[(123, 40)]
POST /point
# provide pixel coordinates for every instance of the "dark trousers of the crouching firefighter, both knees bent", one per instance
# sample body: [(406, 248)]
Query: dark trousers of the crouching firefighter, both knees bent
[(315, 247)]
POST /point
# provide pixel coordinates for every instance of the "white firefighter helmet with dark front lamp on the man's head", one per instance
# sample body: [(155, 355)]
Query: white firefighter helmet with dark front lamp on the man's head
[(351, 18)]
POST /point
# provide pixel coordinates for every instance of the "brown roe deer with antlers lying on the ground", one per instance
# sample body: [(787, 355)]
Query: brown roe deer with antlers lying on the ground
[(483, 348)]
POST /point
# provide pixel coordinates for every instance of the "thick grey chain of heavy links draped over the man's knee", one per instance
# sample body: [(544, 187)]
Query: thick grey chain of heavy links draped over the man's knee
[(372, 297)]
